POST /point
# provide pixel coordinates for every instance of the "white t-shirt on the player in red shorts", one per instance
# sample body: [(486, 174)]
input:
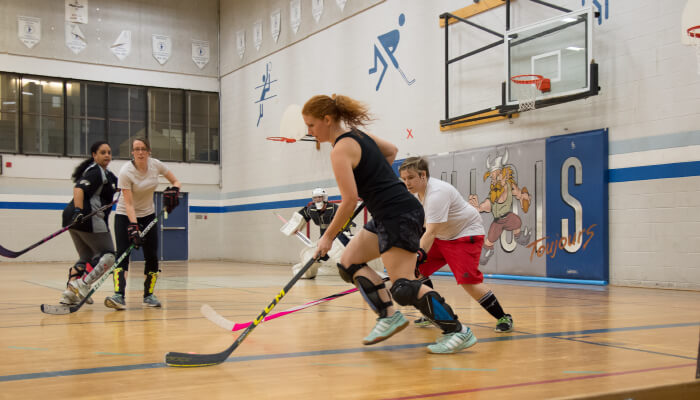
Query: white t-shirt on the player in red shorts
[(443, 203)]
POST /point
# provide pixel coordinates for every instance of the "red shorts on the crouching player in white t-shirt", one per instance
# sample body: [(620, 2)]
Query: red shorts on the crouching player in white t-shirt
[(461, 255)]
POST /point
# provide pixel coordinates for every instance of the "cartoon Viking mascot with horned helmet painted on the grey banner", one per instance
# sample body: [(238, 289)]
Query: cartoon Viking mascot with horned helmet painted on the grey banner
[(503, 194)]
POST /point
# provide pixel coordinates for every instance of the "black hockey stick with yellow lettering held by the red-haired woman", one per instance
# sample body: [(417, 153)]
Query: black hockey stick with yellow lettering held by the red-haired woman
[(175, 359)]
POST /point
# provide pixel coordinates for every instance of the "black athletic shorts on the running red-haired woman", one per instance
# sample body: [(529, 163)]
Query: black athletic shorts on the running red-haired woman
[(403, 231)]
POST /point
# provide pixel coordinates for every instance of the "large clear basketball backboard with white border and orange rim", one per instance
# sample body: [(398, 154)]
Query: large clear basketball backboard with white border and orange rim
[(559, 49)]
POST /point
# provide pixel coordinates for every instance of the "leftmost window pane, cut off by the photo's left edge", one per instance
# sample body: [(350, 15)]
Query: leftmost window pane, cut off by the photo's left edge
[(9, 104)]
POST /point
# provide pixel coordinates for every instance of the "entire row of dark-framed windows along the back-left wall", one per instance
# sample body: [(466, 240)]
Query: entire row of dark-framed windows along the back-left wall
[(64, 117)]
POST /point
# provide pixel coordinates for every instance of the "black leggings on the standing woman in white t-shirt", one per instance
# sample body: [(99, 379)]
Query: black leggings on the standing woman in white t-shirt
[(149, 246)]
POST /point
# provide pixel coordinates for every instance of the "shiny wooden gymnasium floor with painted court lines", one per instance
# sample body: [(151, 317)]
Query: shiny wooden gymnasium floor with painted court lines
[(569, 341)]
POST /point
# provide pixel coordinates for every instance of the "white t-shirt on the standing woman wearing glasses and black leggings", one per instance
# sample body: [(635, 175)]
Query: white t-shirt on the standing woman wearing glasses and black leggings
[(142, 186)]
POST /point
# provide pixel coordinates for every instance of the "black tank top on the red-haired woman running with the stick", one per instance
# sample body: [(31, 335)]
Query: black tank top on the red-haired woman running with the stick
[(383, 193)]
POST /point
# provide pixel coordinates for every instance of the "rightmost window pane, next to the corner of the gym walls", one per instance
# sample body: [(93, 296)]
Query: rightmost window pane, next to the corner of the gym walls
[(202, 127)]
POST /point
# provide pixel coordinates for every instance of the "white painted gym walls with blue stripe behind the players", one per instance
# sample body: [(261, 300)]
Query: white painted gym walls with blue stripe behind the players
[(649, 100)]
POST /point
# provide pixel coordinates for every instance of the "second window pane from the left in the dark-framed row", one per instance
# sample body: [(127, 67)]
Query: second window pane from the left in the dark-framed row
[(42, 116)]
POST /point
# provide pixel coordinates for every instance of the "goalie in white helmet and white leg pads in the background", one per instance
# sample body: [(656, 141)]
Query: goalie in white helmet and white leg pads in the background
[(321, 212)]
